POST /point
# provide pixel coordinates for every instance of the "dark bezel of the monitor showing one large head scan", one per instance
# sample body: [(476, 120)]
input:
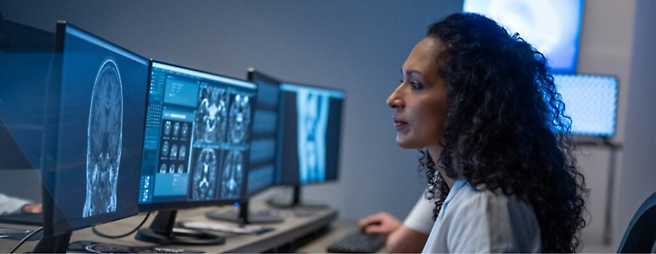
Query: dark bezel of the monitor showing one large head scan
[(51, 142)]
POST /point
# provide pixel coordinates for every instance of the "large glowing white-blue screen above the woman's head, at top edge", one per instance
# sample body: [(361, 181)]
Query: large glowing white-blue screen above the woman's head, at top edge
[(552, 27)]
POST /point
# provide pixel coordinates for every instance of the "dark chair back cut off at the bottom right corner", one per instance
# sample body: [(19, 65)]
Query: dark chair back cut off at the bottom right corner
[(640, 236)]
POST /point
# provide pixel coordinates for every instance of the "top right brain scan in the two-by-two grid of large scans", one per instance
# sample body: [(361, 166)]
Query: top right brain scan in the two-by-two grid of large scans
[(240, 118)]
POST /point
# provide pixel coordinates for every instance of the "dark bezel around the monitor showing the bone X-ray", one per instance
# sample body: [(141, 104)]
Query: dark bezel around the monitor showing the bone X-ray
[(341, 135)]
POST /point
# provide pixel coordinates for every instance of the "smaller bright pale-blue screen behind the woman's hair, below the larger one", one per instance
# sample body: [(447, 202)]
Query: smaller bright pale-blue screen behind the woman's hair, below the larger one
[(590, 101)]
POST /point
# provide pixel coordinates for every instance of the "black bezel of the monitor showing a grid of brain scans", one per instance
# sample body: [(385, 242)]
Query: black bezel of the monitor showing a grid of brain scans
[(171, 206)]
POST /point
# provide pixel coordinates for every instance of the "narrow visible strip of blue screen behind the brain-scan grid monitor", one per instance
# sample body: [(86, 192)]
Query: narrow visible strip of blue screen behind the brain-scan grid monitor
[(265, 130)]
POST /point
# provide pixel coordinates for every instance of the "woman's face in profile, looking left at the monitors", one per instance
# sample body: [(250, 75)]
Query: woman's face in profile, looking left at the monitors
[(420, 101)]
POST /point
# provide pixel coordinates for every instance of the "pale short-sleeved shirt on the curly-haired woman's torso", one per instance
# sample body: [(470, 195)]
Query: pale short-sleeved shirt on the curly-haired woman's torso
[(473, 221)]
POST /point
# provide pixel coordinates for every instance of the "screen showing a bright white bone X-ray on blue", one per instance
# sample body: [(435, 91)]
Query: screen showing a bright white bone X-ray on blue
[(310, 130)]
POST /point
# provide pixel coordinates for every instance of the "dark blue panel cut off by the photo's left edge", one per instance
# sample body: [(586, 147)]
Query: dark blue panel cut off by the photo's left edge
[(25, 56)]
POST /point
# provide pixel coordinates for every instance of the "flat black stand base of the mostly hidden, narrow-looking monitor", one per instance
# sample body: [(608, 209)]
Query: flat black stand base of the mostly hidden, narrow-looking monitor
[(245, 216)]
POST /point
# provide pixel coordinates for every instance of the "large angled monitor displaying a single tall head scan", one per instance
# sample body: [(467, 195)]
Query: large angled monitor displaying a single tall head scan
[(95, 115)]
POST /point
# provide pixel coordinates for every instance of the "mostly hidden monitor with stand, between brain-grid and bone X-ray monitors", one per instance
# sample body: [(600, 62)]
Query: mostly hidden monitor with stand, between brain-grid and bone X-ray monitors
[(263, 163)]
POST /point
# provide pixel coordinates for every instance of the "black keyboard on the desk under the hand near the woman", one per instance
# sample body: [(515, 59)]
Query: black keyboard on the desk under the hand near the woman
[(358, 242)]
